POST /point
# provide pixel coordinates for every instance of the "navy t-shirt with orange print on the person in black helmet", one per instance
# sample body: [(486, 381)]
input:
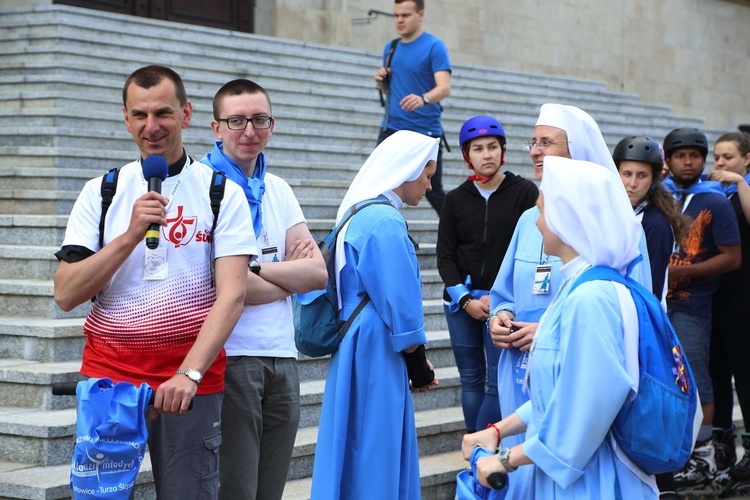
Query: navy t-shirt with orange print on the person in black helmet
[(714, 224)]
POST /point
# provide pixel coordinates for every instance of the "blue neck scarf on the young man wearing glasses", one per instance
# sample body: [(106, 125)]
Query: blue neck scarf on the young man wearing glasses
[(254, 186)]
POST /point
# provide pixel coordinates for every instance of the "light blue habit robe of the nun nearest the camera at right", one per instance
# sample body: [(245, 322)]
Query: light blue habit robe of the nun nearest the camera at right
[(577, 385)]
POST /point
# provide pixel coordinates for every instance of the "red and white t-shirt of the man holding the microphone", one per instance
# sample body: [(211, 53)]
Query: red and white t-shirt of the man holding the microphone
[(140, 330)]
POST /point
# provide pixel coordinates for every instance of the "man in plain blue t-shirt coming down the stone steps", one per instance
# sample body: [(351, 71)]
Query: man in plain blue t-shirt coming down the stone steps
[(416, 76)]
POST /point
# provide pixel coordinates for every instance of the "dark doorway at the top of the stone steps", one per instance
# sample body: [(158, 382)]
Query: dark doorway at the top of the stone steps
[(234, 15)]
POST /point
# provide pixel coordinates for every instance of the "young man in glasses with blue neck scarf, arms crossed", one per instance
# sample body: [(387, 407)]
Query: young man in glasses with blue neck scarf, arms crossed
[(260, 414)]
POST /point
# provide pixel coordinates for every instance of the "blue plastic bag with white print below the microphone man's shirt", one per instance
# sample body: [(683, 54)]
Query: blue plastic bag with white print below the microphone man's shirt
[(111, 438)]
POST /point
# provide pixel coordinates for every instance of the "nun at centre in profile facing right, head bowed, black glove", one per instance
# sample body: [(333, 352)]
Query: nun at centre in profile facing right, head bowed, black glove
[(367, 440)]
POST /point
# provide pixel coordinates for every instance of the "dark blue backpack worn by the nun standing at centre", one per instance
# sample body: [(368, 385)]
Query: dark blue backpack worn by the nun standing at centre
[(317, 329)]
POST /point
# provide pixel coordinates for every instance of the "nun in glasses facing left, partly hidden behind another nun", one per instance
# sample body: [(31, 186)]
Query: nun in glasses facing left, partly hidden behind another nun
[(520, 295)]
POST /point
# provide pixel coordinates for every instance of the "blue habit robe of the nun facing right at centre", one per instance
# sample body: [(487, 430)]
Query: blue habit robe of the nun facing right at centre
[(367, 440)]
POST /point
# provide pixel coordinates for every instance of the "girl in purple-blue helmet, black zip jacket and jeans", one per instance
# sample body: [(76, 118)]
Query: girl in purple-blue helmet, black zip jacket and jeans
[(476, 225)]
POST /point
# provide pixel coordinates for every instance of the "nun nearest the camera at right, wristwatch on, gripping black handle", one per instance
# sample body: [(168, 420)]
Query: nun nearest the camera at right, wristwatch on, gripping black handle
[(583, 363)]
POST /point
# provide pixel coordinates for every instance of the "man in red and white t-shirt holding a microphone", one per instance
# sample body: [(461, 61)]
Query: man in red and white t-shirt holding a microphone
[(161, 316)]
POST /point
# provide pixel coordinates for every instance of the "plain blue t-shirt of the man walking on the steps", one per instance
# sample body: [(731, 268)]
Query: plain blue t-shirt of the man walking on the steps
[(413, 67)]
